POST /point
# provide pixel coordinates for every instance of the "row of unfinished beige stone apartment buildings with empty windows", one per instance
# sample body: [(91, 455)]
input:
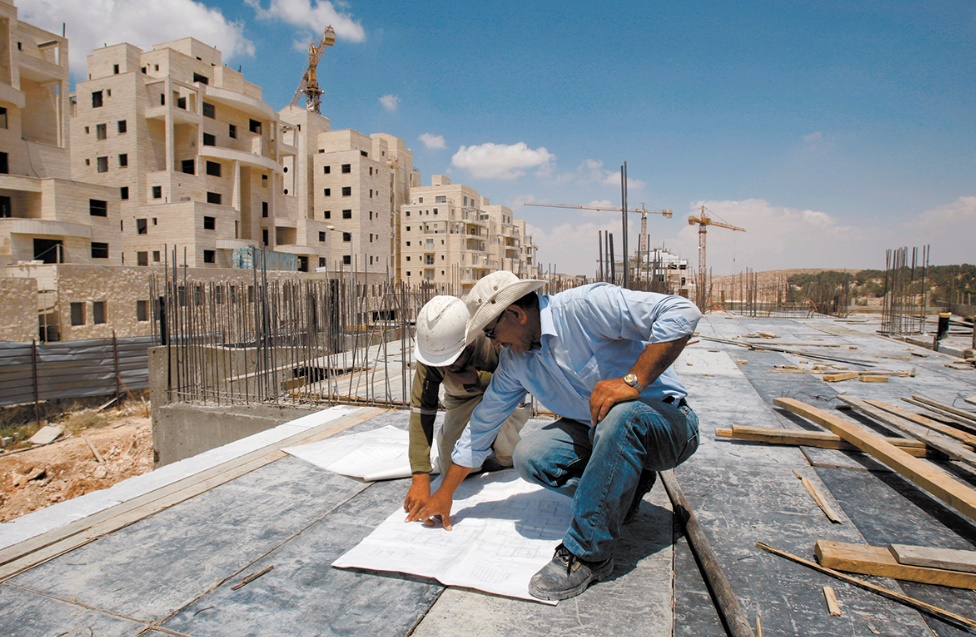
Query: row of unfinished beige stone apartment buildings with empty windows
[(168, 154)]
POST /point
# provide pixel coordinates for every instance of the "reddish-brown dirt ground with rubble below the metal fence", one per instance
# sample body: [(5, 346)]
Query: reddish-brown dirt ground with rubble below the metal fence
[(35, 478)]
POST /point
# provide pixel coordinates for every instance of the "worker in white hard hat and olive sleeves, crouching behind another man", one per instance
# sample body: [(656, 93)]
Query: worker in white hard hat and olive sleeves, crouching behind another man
[(464, 369)]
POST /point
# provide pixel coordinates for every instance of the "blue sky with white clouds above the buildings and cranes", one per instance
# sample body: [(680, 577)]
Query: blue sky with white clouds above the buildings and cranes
[(830, 130)]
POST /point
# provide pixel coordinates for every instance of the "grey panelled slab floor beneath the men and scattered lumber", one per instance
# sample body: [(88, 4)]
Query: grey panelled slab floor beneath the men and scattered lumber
[(173, 571)]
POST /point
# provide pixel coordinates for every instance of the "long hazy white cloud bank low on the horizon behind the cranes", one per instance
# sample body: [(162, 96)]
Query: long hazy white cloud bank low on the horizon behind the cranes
[(776, 237)]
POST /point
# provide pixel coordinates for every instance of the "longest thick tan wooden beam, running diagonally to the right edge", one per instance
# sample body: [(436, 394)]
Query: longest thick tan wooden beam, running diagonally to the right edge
[(921, 473)]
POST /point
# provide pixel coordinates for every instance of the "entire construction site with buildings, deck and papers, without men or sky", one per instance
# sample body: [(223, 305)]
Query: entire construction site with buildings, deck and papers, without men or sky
[(241, 286)]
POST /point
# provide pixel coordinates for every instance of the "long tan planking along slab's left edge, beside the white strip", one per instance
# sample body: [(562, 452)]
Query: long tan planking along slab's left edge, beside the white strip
[(23, 555)]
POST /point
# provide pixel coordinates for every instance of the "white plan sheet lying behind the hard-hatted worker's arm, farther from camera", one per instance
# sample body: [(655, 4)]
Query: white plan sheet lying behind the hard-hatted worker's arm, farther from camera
[(379, 454)]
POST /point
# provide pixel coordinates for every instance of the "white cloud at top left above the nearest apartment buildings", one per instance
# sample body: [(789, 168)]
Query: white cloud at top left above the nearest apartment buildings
[(142, 24)]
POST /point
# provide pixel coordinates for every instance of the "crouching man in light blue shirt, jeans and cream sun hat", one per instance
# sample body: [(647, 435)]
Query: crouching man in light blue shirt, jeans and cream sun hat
[(599, 356)]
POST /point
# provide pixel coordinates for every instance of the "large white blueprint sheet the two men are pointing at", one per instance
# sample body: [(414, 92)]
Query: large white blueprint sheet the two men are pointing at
[(505, 530)]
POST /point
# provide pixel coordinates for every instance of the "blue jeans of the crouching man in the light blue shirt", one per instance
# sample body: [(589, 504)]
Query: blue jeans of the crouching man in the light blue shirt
[(599, 466)]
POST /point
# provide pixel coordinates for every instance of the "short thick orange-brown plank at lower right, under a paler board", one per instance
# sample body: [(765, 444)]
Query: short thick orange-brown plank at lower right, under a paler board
[(878, 560)]
